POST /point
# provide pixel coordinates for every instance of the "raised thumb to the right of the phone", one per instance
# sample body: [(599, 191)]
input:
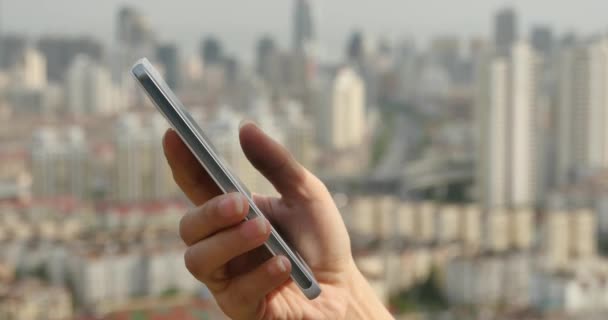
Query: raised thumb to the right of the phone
[(275, 162)]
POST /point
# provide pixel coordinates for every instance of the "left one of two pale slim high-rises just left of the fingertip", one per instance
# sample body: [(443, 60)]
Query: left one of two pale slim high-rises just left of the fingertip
[(129, 156)]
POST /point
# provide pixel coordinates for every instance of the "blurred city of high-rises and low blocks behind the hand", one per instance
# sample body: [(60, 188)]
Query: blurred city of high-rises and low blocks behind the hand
[(472, 173)]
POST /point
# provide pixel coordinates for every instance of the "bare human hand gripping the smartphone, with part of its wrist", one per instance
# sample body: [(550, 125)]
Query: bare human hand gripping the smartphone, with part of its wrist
[(227, 254)]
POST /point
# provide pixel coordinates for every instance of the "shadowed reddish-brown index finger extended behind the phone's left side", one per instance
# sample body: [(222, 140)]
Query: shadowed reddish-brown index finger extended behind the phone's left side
[(188, 173)]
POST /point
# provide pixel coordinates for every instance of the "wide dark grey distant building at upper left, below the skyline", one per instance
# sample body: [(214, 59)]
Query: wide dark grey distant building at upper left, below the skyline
[(60, 53)]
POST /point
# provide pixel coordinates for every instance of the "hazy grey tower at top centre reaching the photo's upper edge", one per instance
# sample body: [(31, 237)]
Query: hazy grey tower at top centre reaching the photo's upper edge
[(303, 28)]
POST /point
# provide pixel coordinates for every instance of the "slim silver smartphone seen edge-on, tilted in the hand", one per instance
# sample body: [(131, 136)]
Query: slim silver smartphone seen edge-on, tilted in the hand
[(190, 132)]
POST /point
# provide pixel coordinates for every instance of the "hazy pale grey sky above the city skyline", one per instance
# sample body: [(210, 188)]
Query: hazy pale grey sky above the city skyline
[(240, 22)]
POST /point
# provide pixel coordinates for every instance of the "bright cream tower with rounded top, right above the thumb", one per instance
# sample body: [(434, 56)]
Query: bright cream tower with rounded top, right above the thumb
[(342, 120)]
